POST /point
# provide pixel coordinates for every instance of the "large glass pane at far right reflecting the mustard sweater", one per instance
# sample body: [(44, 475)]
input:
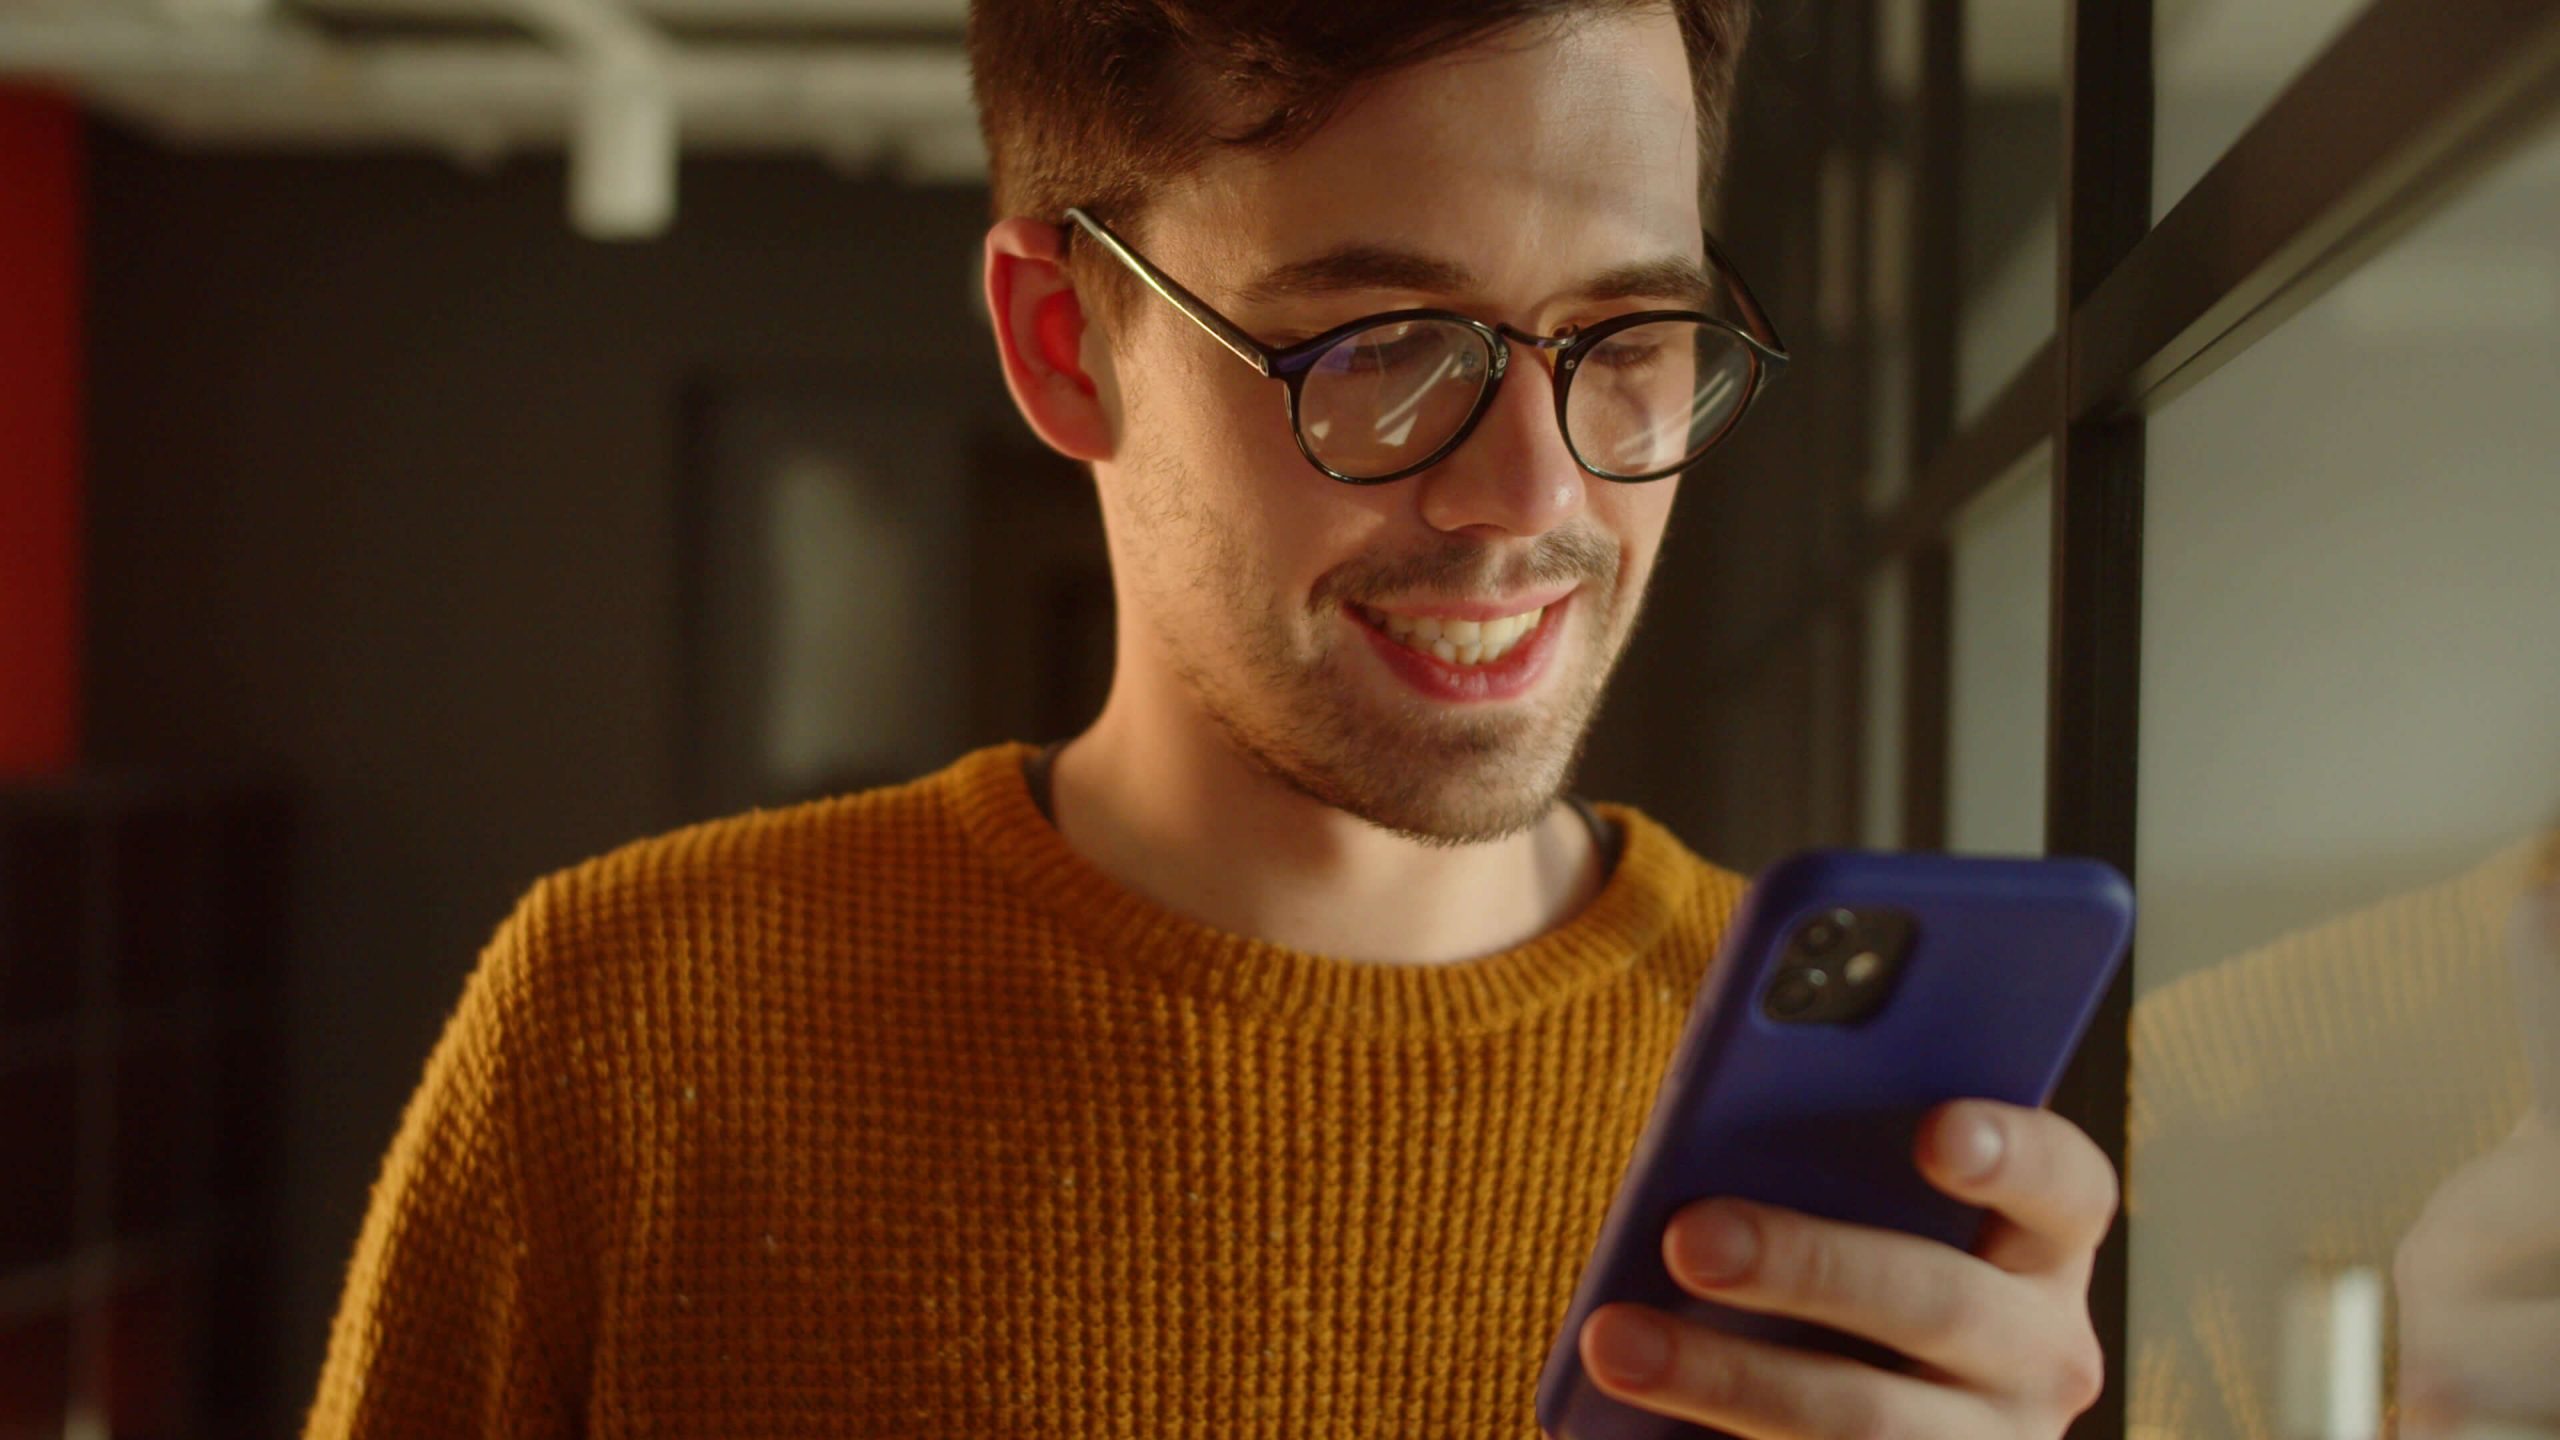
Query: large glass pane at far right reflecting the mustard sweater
[(2349, 801)]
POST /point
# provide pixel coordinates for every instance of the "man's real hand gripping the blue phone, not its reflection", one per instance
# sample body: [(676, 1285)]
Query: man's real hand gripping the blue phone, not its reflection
[(2001, 1341)]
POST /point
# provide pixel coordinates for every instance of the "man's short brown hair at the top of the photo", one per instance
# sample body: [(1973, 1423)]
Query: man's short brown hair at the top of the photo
[(1105, 101)]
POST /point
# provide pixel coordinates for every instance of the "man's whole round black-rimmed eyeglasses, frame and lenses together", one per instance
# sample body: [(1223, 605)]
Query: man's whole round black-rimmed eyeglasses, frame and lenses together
[(1386, 396)]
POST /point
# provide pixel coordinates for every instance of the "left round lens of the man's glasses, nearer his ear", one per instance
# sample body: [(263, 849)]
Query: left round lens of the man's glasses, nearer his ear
[(1386, 398)]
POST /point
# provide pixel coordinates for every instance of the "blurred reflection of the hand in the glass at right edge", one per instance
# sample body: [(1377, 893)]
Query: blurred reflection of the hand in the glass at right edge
[(2479, 1295)]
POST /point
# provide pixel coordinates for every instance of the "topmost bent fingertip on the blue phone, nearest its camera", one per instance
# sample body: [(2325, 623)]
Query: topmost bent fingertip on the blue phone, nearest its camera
[(2034, 1170)]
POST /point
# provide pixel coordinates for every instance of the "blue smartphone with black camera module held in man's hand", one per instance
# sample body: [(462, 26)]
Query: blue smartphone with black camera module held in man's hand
[(1852, 995)]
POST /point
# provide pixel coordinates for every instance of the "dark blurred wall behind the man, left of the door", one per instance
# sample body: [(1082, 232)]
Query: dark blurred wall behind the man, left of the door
[(388, 496)]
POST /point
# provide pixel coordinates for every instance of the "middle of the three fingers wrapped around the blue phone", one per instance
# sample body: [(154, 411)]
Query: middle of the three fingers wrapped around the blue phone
[(1916, 1298)]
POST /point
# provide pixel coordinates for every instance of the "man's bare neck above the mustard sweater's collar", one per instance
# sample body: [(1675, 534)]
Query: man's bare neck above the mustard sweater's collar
[(1197, 829)]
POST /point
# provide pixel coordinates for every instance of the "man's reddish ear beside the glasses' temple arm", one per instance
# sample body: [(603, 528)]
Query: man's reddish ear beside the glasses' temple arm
[(1041, 332)]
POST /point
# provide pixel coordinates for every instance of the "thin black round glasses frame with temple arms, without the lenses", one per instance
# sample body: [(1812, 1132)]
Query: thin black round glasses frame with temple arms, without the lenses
[(1568, 347)]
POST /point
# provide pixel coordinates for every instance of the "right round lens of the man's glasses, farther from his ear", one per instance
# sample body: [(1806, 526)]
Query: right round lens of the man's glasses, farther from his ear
[(1655, 398)]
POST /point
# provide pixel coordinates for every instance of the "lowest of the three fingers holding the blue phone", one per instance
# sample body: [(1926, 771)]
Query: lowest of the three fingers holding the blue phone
[(1765, 1393)]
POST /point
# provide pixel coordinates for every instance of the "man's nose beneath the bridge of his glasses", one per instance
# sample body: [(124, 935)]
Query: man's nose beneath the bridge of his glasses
[(1514, 475)]
